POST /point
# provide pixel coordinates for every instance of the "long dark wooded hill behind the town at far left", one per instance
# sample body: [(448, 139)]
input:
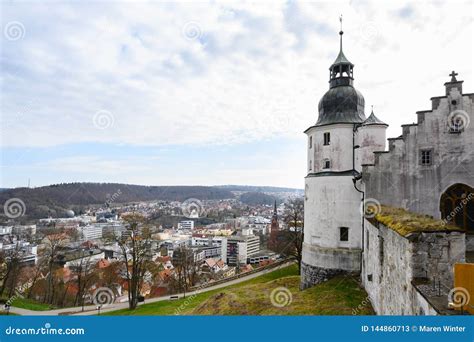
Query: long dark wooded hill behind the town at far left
[(61, 197)]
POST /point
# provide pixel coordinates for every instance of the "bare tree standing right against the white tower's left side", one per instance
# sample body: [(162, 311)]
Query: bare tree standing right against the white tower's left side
[(294, 219)]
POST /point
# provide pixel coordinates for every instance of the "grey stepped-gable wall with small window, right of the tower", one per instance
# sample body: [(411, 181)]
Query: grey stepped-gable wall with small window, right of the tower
[(397, 177)]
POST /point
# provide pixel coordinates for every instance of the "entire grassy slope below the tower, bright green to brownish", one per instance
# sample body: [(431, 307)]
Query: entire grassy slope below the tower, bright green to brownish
[(338, 296)]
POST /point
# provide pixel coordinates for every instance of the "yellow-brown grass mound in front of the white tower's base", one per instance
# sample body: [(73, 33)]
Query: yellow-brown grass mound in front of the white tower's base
[(338, 296)]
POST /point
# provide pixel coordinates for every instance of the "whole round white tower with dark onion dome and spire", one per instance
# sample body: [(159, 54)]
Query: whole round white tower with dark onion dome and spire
[(338, 144)]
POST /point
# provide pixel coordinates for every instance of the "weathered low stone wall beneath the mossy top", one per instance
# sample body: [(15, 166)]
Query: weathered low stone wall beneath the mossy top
[(391, 263)]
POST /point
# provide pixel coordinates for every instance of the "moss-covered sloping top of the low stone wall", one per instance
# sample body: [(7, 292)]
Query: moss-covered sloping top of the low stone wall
[(406, 223)]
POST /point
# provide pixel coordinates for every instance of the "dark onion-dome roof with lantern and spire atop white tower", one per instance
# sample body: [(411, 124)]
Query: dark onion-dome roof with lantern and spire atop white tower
[(342, 103)]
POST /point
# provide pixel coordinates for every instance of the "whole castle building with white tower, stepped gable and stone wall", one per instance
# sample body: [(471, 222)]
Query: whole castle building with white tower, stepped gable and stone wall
[(428, 171)]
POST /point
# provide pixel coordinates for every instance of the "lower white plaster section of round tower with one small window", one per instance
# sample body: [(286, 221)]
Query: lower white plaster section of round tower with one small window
[(332, 202)]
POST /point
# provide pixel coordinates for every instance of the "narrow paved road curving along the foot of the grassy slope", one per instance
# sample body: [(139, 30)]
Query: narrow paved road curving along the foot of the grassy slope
[(92, 310)]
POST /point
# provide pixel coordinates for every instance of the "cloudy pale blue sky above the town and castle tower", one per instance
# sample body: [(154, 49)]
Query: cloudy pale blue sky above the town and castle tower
[(206, 93)]
